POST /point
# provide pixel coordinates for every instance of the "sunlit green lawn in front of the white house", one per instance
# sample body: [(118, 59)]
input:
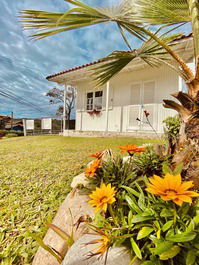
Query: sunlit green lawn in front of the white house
[(35, 177)]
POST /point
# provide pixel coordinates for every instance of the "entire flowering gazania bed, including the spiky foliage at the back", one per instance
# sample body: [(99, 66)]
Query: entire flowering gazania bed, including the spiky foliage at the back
[(157, 221)]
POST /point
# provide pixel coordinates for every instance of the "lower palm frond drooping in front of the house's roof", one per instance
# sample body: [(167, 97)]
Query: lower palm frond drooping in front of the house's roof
[(150, 52)]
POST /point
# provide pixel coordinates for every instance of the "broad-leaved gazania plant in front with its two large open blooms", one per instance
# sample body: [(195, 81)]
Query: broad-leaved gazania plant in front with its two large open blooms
[(158, 229)]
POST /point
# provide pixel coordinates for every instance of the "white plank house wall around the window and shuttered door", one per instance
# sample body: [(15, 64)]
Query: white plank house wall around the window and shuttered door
[(120, 98)]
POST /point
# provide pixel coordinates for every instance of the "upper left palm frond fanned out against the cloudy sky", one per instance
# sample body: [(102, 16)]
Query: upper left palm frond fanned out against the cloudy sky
[(49, 23)]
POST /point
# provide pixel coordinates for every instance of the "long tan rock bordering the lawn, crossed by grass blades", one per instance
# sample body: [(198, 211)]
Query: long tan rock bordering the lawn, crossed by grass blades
[(75, 205)]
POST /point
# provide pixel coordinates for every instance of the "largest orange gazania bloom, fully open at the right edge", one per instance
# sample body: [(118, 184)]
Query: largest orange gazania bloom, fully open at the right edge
[(171, 188)]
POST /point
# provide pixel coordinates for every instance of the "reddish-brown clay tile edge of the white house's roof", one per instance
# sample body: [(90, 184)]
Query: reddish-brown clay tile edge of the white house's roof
[(101, 60)]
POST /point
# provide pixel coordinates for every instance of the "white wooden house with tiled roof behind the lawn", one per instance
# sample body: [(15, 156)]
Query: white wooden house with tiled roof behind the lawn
[(116, 106)]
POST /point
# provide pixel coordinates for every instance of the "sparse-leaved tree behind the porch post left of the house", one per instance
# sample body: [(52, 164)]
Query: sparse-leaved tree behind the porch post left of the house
[(56, 96)]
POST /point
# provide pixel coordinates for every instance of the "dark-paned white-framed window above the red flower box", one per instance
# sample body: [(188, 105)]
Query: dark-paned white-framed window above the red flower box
[(94, 100)]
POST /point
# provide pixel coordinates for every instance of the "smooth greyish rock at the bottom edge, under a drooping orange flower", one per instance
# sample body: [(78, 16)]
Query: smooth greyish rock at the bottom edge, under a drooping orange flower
[(78, 254)]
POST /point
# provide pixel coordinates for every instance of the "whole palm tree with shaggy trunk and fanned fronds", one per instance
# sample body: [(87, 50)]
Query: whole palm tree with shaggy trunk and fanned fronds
[(138, 17)]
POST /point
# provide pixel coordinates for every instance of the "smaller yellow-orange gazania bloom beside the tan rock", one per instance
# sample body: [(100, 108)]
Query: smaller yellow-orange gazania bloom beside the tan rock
[(102, 196)]
